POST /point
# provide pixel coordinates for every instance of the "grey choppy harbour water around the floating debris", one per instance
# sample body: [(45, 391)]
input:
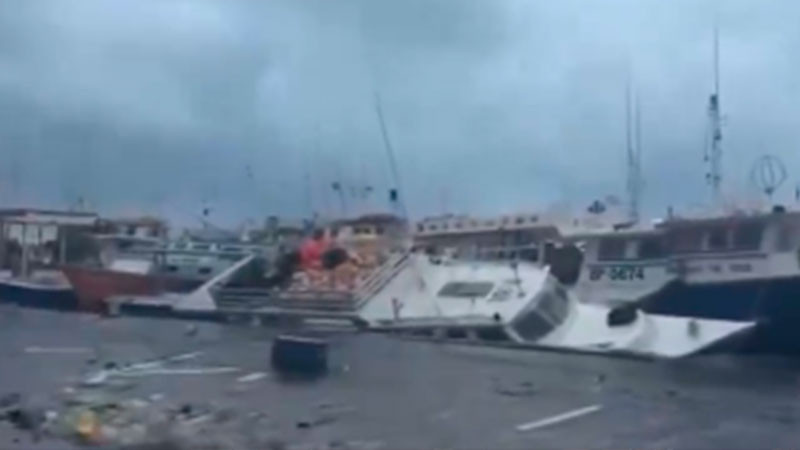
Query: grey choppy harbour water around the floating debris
[(421, 395)]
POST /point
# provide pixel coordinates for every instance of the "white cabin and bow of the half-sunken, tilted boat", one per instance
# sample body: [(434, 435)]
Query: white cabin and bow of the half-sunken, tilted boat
[(522, 303)]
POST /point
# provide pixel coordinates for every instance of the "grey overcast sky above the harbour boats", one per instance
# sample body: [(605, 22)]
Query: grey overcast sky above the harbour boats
[(162, 106)]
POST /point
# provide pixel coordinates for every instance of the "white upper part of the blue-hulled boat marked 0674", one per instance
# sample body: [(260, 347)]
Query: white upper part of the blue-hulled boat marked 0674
[(626, 265)]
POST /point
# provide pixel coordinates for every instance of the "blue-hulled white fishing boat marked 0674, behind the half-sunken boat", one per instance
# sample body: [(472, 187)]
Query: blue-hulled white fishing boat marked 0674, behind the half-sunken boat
[(729, 267)]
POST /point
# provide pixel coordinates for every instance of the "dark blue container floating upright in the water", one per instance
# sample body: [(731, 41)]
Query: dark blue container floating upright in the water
[(300, 355)]
